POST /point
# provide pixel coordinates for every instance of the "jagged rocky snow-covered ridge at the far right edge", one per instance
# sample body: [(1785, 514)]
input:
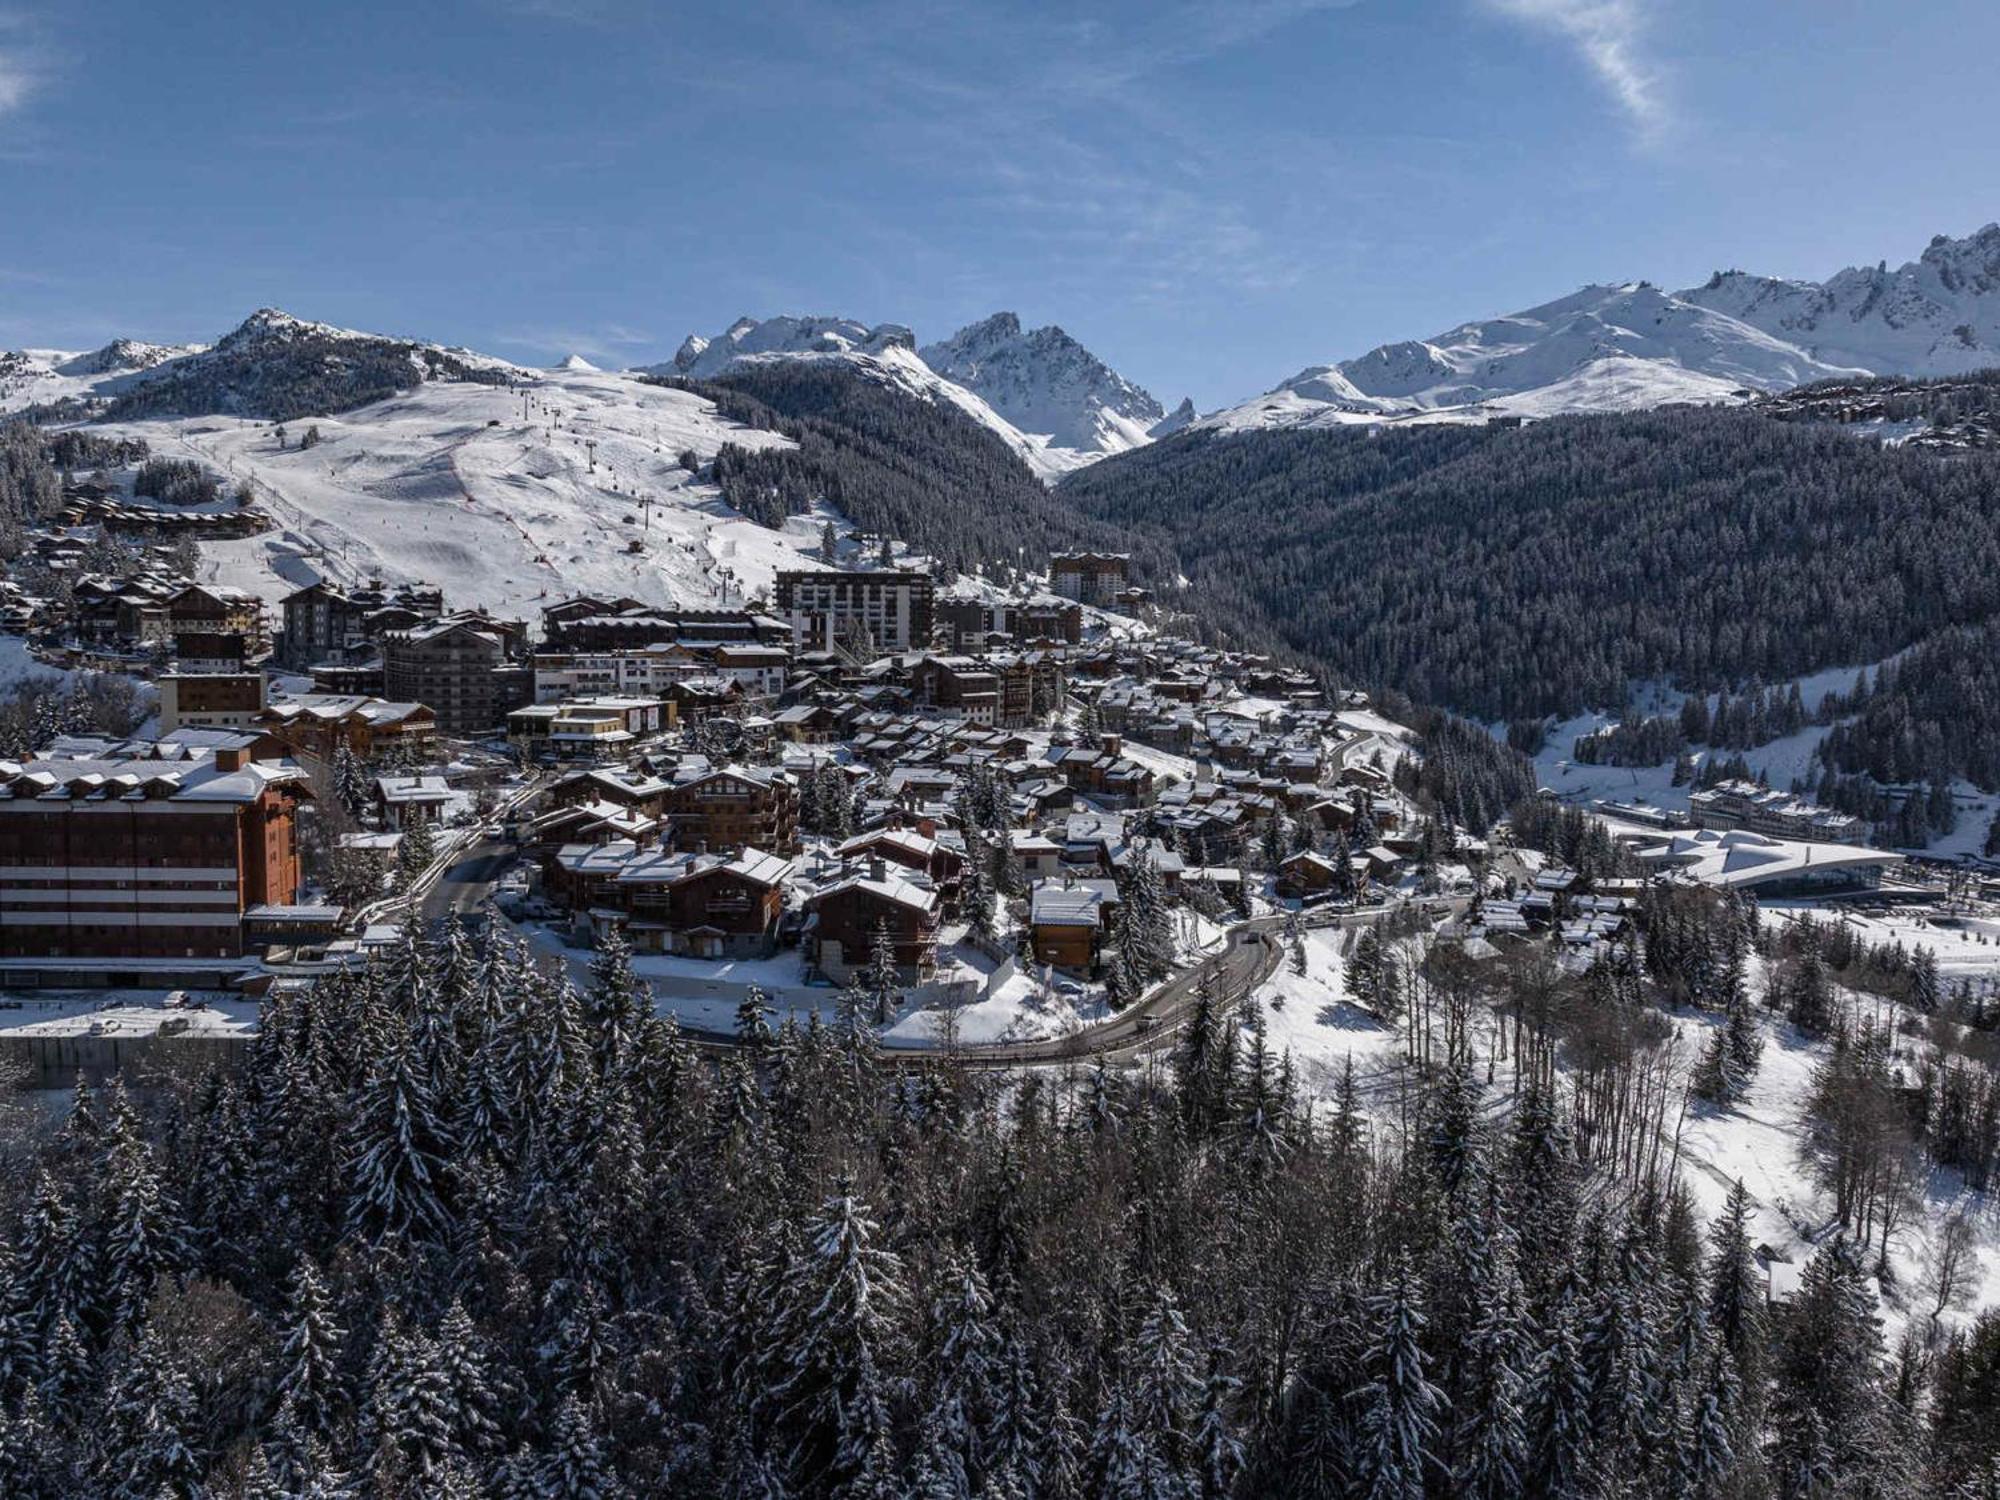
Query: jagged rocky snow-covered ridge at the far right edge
[(1937, 315)]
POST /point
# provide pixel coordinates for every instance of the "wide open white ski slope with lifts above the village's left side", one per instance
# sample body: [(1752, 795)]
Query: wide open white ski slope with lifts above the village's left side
[(507, 499)]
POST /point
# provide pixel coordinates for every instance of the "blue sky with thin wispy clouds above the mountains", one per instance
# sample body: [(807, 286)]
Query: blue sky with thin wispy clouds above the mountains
[(1209, 193)]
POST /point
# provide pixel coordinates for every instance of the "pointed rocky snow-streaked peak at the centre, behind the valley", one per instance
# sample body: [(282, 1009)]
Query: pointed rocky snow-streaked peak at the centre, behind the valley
[(1047, 385)]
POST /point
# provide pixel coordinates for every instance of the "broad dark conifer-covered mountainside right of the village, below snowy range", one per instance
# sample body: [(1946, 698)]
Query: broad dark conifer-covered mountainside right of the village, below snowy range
[(1517, 573)]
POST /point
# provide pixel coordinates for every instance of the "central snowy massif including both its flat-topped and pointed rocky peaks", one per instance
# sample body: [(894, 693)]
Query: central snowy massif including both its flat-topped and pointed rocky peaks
[(1043, 393)]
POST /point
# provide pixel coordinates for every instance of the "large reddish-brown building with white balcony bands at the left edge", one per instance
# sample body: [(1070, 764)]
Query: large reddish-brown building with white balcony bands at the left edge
[(145, 849)]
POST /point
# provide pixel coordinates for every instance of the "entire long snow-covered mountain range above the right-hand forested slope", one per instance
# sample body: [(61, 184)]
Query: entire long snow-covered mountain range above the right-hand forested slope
[(1633, 345)]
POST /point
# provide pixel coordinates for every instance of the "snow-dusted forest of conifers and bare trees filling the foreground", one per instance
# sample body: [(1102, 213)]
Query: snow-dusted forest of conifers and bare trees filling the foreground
[(461, 1227)]
